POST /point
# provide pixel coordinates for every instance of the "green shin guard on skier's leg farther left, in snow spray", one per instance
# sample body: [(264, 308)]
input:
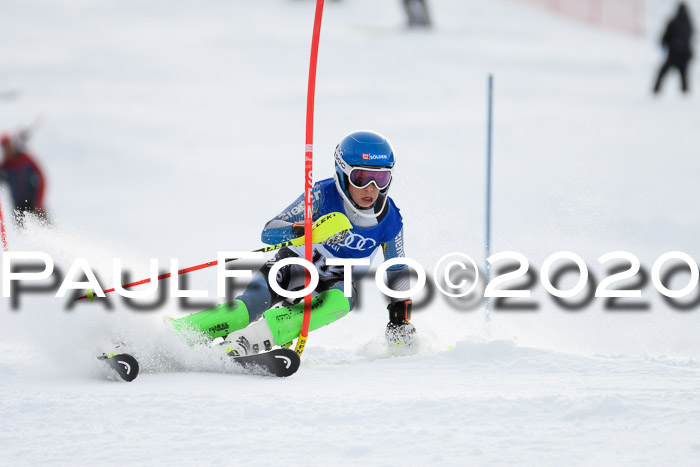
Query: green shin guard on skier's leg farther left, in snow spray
[(217, 321)]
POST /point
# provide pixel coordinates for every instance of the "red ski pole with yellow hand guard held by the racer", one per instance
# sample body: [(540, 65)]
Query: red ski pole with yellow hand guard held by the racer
[(330, 228)]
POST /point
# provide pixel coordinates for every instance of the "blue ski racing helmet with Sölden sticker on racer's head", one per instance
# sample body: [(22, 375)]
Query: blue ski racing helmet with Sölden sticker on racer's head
[(363, 149)]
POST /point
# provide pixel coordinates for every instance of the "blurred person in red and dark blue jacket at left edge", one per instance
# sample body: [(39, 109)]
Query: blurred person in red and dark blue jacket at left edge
[(24, 177)]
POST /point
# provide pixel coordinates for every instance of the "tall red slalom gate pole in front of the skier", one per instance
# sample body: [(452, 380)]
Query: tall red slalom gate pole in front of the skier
[(308, 172)]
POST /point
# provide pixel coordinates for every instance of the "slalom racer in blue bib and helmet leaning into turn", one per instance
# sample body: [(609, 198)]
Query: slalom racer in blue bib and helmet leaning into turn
[(364, 164)]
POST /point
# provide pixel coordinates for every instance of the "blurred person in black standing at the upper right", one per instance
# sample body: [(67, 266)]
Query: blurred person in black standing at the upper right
[(676, 40)]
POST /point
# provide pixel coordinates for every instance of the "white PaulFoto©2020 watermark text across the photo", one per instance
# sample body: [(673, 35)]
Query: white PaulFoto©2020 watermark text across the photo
[(455, 275)]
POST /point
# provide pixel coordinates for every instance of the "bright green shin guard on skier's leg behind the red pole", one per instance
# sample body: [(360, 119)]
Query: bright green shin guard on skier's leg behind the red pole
[(326, 307)]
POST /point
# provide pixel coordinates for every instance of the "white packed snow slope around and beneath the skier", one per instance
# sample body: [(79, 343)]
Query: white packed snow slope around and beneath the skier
[(175, 129)]
